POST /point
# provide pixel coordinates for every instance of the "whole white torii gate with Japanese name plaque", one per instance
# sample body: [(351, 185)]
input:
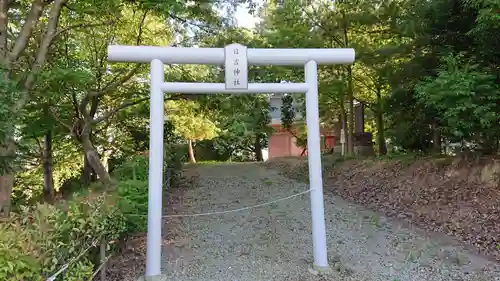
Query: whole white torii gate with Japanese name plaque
[(236, 59)]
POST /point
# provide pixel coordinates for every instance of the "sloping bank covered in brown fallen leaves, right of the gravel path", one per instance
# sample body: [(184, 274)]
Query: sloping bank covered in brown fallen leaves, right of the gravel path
[(456, 197)]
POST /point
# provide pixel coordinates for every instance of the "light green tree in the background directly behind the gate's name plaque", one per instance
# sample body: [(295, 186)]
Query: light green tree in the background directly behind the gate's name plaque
[(244, 119)]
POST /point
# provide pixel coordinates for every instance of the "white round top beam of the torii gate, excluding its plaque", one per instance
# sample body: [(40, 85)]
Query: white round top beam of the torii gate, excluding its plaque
[(174, 55)]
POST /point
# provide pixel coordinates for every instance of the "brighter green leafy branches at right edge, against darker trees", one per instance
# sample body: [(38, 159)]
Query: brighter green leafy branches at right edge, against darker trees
[(466, 100)]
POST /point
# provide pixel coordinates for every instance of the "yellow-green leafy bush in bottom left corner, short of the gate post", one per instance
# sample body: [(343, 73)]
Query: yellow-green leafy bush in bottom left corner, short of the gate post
[(40, 239)]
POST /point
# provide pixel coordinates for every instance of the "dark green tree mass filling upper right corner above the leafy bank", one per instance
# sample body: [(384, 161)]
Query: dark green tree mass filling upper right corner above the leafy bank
[(438, 95)]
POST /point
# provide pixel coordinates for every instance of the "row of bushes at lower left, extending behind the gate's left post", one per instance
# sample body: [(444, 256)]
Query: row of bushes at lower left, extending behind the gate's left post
[(38, 240)]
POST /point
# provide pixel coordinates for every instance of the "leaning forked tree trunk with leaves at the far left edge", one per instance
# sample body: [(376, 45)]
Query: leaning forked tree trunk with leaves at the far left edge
[(21, 62)]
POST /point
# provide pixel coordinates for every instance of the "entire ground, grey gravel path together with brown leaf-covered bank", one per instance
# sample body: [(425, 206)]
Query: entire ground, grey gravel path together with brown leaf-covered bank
[(452, 203)]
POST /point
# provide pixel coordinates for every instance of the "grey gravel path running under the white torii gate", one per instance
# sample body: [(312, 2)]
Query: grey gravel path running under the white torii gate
[(274, 242)]
